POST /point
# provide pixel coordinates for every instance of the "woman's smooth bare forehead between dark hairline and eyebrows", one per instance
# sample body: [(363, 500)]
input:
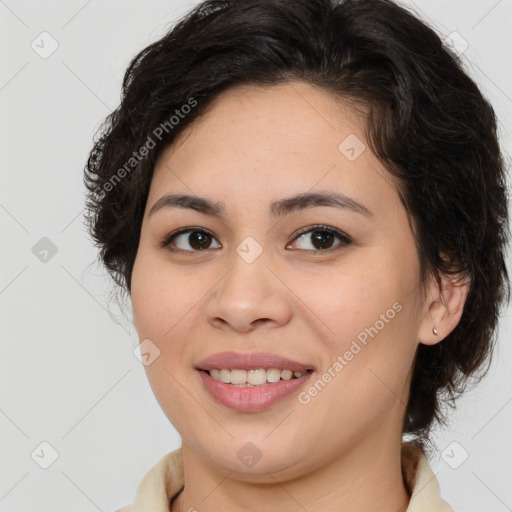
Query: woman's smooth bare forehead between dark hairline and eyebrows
[(259, 144)]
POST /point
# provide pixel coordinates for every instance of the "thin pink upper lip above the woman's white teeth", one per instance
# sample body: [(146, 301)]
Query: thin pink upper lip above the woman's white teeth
[(250, 361)]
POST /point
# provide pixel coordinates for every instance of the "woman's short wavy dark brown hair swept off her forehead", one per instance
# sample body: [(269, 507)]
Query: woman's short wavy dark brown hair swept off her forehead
[(426, 121)]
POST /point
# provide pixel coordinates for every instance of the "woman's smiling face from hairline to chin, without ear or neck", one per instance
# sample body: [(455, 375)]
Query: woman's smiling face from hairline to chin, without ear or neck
[(248, 280)]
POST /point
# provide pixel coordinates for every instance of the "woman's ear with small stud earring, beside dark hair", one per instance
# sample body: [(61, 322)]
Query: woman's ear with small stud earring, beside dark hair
[(443, 307)]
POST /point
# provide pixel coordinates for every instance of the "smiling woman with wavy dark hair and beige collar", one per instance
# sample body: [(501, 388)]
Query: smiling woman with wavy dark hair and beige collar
[(306, 203)]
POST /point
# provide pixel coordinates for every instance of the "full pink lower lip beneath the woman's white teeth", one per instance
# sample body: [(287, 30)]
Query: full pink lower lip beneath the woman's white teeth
[(251, 399)]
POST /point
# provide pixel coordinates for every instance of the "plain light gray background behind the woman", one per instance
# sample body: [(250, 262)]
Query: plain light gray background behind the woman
[(69, 376)]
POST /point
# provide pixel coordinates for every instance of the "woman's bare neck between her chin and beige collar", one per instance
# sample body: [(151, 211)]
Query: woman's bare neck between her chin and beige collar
[(366, 478)]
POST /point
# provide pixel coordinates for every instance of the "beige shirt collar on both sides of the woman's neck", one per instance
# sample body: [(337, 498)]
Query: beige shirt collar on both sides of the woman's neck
[(165, 480)]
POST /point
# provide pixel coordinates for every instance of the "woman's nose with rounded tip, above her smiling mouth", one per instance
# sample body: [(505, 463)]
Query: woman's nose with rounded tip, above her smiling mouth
[(249, 295)]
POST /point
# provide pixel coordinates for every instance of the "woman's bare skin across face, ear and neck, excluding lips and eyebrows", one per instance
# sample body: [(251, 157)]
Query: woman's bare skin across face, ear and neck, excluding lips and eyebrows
[(340, 451)]
